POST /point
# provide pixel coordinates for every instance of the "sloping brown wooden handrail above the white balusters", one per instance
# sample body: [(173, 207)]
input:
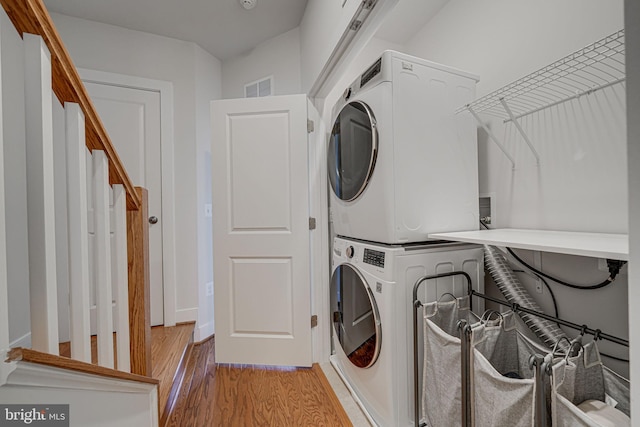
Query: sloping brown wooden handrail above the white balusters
[(31, 16)]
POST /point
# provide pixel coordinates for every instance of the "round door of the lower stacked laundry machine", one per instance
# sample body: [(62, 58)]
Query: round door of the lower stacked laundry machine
[(356, 322)]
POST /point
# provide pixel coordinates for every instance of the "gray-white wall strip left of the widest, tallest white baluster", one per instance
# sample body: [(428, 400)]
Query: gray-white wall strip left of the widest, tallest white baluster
[(15, 183)]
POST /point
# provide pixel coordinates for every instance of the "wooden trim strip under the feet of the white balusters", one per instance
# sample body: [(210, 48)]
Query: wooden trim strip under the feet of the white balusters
[(32, 356)]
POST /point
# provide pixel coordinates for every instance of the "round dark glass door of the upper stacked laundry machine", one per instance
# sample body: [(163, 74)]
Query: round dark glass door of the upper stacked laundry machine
[(353, 148)]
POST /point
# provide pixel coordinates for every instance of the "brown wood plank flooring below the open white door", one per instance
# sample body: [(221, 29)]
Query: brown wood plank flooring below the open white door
[(194, 391)]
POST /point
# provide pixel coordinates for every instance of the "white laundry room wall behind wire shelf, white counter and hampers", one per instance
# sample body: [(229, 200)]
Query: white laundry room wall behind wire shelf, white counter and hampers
[(581, 182)]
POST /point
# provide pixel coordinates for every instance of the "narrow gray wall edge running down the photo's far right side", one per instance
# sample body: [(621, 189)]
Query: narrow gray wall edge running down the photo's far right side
[(632, 34)]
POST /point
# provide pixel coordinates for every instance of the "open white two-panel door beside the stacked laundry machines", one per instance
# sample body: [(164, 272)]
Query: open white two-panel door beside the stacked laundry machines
[(261, 231)]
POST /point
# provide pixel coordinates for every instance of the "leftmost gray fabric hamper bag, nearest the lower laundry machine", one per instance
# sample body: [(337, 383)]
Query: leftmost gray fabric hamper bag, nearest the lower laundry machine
[(441, 385)]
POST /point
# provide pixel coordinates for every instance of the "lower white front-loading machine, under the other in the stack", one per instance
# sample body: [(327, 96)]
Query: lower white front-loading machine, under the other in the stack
[(371, 309)]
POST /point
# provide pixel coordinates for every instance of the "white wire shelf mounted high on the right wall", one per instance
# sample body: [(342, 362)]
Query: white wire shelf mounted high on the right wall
[(599, 65)]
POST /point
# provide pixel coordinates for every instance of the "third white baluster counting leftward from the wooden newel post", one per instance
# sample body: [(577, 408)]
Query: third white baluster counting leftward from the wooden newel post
[(77, 208)]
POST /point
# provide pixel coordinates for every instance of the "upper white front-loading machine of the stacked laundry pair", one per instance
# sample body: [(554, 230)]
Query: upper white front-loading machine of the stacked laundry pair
[(401, 163)]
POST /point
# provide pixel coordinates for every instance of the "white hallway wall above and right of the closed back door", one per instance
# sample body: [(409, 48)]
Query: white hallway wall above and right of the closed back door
[(108, 48)]
